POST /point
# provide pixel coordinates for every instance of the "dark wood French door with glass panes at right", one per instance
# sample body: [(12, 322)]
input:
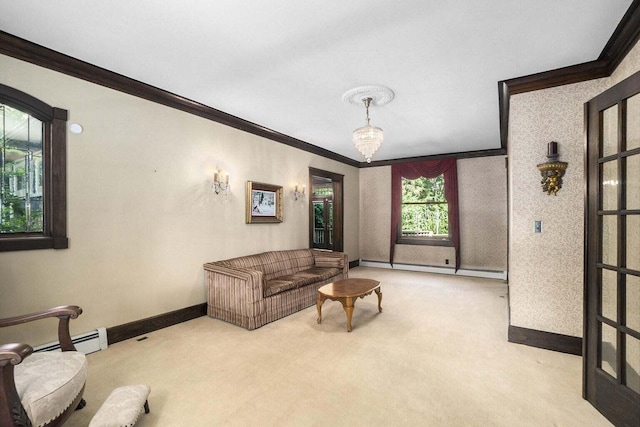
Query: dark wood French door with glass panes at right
[(612, 255)]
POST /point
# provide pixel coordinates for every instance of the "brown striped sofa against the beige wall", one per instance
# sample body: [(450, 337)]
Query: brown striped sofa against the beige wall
[(253, 290)]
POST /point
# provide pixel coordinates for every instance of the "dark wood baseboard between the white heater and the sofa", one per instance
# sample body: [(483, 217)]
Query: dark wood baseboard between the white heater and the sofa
[(144, 326)]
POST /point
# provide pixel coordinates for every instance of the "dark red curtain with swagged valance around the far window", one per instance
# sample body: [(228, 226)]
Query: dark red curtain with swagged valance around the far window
[(427, 169)]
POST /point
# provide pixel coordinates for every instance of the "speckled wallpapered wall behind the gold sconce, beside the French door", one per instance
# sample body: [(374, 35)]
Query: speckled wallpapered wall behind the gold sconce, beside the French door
[(546, 269)]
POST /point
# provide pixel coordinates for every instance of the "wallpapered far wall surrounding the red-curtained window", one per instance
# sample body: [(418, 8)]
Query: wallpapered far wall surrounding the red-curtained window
[(483, 218)]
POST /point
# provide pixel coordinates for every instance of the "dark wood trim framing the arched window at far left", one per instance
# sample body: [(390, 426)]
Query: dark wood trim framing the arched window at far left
[(54, 235)]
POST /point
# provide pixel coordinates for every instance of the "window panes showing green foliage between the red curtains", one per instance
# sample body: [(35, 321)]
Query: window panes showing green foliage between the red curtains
[(425, 212)]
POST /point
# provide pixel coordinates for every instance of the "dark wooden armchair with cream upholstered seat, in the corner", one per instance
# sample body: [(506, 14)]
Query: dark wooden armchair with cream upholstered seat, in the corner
[(41, 389)]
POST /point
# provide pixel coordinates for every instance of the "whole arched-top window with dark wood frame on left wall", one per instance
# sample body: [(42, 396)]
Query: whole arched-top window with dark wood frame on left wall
[(32, 173)]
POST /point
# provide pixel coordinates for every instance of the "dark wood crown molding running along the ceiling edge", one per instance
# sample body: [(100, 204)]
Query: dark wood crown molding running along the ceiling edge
[(621, 42)]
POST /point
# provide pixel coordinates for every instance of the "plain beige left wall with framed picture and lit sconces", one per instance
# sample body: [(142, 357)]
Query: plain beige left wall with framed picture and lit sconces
[(141, 217)]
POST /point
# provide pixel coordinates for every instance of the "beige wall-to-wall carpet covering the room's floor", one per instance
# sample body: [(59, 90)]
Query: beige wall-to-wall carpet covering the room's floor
[(436, 356)]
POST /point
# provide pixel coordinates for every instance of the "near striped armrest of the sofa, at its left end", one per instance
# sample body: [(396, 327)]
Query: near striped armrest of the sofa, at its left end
[(240, 290)]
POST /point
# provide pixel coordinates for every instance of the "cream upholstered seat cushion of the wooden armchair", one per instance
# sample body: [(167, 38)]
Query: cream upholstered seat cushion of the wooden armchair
[(48, 382)]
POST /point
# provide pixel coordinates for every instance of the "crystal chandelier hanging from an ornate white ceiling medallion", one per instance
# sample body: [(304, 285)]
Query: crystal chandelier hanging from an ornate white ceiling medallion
[(367, 139)]
